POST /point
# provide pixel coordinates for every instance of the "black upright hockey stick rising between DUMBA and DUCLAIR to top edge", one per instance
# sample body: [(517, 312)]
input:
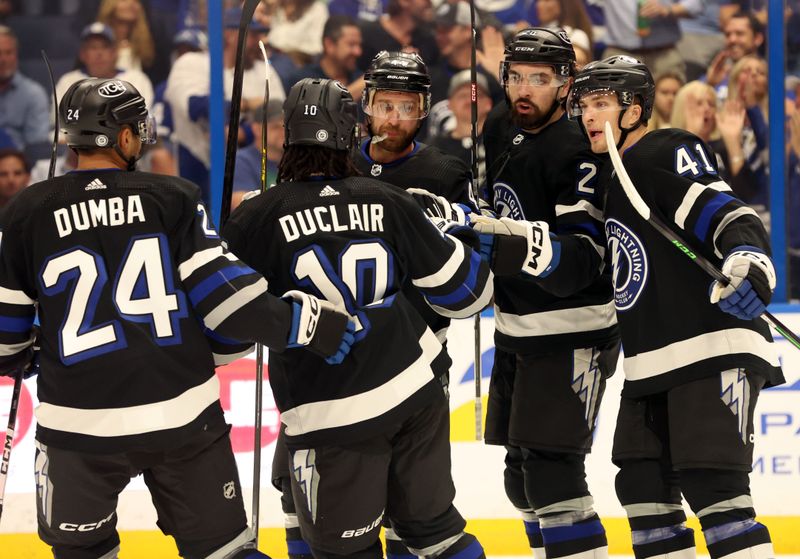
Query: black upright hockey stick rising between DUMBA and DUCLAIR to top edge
[(248, 9)]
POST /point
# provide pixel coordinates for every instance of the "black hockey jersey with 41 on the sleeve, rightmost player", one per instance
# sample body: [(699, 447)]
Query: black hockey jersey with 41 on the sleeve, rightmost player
[(671, 333)]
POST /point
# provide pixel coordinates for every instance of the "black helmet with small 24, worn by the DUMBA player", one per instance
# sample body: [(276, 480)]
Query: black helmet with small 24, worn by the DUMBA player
[(93, 111)]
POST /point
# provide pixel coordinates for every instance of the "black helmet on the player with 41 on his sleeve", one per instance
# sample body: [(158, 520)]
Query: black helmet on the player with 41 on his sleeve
[(624, 75)]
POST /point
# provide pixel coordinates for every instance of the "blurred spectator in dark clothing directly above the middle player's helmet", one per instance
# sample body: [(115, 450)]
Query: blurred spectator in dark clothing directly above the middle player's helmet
[(404, 27)]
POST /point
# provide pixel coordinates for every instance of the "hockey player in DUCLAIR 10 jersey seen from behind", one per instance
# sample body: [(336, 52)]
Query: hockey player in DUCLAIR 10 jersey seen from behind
[(369, 437)]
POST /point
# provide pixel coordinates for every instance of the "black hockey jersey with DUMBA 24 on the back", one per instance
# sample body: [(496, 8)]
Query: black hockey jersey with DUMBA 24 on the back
[(134, 293)]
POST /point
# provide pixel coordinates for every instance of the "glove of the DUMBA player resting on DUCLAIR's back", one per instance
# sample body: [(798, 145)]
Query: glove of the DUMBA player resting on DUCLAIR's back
[(318, 326)]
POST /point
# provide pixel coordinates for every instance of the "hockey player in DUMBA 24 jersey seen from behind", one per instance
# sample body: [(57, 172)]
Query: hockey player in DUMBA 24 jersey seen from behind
[(134, 289)]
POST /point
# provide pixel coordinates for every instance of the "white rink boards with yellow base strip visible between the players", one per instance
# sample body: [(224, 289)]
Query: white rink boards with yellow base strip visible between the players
[(477, 468)]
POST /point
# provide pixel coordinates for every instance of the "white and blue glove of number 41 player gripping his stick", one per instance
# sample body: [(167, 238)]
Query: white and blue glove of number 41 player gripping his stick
[(752, 279)]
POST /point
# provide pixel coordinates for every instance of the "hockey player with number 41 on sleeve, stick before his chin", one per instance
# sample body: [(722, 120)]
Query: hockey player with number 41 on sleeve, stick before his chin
[(685, 423)]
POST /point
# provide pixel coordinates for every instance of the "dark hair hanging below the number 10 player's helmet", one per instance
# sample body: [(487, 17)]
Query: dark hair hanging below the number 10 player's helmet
[(301, 162)]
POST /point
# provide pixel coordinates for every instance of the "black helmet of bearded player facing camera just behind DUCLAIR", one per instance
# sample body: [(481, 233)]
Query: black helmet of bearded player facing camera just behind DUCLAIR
[(397, 71)]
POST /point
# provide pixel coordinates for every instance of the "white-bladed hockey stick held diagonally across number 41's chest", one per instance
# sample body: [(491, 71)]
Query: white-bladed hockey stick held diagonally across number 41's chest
[(643, 210)]
